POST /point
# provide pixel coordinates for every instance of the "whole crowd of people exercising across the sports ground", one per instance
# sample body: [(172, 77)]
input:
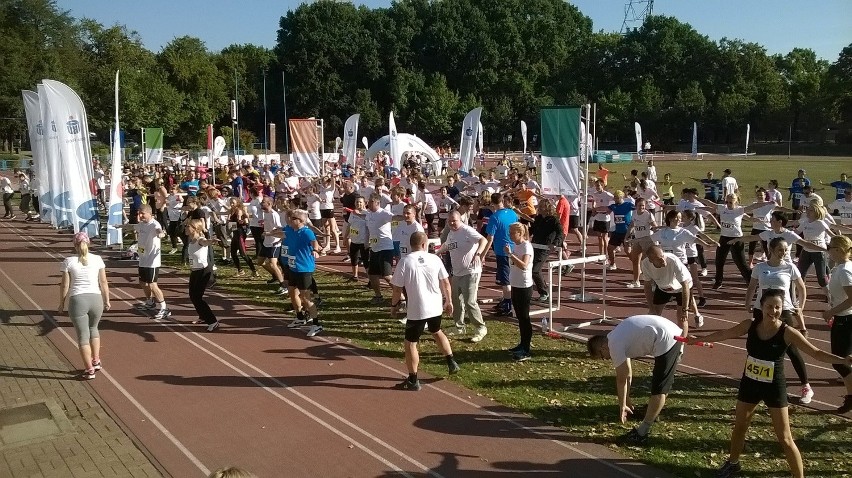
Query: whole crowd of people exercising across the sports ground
[(385, 222)]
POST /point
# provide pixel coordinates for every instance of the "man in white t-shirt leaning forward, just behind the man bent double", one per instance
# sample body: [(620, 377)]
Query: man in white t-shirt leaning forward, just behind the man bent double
[(666, 278)]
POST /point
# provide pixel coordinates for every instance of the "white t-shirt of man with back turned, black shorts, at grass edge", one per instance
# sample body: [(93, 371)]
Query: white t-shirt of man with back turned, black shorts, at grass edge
[(421, 274)]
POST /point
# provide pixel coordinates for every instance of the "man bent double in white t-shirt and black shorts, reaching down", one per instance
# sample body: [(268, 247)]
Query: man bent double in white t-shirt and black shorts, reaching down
[(634, 337)]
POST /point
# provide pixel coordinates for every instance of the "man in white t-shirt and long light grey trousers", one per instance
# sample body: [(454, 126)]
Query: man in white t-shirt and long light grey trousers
[(466, 248)]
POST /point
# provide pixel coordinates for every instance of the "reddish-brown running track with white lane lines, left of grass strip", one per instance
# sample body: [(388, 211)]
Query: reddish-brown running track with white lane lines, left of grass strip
[(261, 396)]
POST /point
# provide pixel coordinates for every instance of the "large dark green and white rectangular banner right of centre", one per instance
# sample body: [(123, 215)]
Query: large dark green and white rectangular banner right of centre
[(560, 151)]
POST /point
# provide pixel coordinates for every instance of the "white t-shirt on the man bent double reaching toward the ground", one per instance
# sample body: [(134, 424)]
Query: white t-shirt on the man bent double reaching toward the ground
[(641, 335)]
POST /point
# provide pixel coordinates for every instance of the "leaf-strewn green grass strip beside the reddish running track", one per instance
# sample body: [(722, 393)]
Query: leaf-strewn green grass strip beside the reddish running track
[(562, 387)]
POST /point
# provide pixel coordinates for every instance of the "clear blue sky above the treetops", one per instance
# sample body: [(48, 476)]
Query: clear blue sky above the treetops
[(824, 26)]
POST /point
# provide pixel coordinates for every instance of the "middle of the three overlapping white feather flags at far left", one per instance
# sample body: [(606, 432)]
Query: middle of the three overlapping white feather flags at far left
[(55, 186)]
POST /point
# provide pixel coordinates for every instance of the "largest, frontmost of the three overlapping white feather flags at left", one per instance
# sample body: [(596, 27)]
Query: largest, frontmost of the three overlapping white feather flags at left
[(76, 156)]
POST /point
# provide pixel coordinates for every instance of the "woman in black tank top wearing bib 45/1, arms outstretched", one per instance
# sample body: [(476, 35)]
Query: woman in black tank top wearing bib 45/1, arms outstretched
[(763, 377)]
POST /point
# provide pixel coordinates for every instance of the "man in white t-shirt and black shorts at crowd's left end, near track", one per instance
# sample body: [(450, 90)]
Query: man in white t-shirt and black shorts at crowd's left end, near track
[(149, 232)]
